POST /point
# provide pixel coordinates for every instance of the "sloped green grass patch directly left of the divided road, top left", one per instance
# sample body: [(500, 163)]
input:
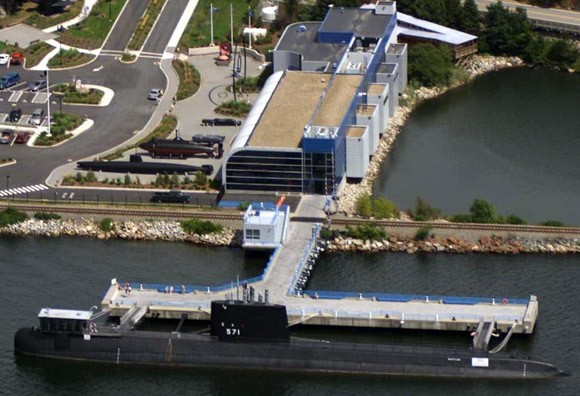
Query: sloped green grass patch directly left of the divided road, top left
[(92, 31)]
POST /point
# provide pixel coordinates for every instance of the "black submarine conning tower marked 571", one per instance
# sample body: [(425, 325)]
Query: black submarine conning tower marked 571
[(239, 321)]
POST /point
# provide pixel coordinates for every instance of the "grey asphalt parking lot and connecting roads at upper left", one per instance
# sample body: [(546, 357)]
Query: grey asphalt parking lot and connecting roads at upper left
[(128, 112)]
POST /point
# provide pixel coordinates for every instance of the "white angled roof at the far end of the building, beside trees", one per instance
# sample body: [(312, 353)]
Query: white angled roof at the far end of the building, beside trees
[(431, 30)]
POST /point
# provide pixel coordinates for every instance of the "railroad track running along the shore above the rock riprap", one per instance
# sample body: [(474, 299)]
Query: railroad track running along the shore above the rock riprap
[(184, 214)]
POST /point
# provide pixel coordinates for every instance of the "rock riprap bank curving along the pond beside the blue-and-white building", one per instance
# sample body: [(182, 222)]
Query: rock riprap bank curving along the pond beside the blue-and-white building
[(477, 65)]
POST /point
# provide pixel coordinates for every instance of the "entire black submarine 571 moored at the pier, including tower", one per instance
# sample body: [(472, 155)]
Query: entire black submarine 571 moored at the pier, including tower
[(252, 335)]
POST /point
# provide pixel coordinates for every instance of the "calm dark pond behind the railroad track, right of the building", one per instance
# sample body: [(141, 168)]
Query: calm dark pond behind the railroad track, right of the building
[(511, 138)]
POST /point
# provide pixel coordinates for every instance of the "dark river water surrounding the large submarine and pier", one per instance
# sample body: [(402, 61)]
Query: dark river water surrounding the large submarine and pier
[(74, 273)]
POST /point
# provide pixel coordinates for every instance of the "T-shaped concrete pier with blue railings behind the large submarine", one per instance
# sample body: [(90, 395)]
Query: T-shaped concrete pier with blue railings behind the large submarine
[(332, 308)]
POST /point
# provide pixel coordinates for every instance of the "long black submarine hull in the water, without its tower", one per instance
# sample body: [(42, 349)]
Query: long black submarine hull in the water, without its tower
[(176, 349)]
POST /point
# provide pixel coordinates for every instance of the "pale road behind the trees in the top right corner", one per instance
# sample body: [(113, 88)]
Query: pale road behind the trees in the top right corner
[(551, 18)]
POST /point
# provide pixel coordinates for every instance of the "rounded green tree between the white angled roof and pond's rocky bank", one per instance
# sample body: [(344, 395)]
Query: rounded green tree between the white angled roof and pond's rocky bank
[(430, 65)]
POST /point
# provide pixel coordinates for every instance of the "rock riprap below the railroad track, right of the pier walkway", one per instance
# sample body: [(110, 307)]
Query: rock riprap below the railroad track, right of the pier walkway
[(493, 245)]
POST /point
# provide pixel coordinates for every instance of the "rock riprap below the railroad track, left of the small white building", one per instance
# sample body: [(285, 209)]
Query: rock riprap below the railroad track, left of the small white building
[(170, 231)]
